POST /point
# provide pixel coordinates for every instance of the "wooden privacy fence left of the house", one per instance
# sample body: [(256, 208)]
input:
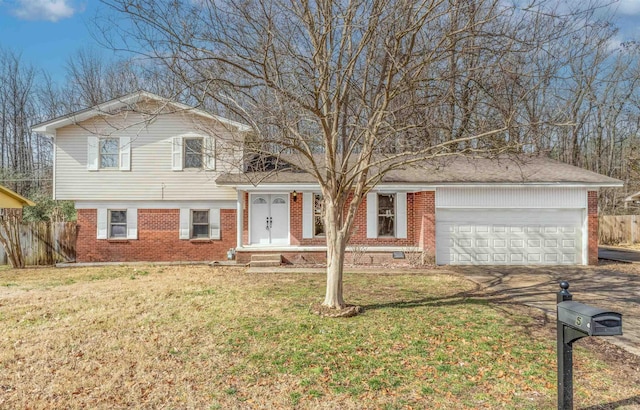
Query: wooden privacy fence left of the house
[(46, 243)]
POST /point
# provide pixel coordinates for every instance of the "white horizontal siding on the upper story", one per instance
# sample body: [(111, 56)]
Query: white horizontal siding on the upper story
[(150, 177)]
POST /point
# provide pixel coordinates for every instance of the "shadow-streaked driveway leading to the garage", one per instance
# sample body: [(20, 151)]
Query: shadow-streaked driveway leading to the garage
[(611, 285)]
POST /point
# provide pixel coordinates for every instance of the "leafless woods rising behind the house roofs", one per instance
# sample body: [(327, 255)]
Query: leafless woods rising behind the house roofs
[(556, 82)]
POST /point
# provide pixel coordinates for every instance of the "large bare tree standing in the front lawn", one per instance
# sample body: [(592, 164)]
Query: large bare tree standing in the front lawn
[(351, 89)]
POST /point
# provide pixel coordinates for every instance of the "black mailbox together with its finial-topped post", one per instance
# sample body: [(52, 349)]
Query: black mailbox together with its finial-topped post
[(575, 321)]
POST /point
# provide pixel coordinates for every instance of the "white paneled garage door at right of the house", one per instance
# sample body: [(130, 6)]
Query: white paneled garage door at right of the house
[(509, 236)]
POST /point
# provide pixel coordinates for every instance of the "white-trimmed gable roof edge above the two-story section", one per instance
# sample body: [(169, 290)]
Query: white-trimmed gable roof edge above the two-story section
[(129, 100)]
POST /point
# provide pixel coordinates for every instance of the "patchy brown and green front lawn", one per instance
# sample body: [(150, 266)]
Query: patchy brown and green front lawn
[(206, 338)]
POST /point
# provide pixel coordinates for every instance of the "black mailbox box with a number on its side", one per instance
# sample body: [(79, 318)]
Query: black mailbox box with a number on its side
[(590, 319)]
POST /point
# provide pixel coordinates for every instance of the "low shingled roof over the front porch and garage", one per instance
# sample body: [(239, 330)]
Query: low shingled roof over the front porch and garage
[(455, 170)]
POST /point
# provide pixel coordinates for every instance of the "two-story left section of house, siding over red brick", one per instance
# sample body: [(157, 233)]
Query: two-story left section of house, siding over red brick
[(142, 173)]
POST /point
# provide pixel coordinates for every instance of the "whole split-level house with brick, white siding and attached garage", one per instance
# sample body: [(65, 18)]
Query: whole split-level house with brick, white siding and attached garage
[(155, 180)]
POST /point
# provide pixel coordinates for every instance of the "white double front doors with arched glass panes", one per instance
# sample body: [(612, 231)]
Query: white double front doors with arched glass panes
[(269, 219)]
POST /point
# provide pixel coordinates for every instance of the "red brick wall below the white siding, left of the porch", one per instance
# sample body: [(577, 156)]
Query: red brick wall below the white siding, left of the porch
[(158, 239)]
